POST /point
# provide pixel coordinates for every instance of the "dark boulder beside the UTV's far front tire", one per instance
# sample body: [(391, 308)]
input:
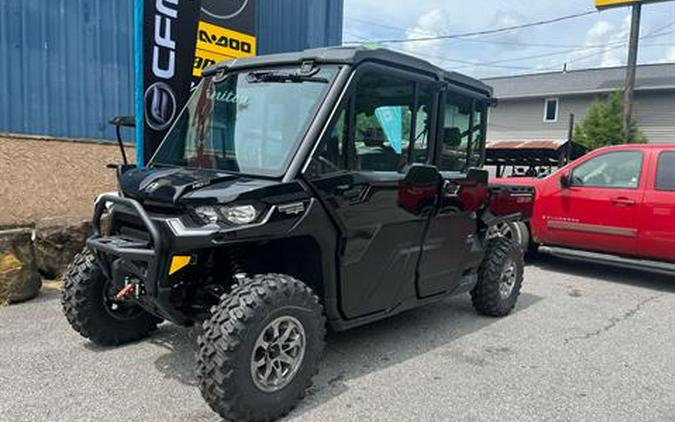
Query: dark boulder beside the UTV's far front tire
[(57, 241)]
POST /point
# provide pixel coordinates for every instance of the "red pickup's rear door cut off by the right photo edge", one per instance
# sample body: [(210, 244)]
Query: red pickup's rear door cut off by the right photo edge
[(657, 230)]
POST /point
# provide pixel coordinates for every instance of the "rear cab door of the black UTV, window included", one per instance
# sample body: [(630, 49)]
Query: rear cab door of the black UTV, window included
[(446, 256)]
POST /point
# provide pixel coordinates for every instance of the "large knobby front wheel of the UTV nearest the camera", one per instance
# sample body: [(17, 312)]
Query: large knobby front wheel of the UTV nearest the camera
[(240, 334)]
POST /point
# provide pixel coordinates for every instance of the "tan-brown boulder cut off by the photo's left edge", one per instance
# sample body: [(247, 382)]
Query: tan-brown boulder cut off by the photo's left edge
[(19, 278)]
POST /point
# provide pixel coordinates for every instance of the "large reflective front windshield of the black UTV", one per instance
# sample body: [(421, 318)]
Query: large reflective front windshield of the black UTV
[(248, 122)]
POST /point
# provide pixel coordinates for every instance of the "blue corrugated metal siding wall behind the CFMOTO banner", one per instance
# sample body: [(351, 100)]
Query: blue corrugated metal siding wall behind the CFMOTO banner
[(66, 66)]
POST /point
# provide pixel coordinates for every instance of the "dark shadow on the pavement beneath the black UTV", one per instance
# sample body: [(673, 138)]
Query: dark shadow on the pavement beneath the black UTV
[(354, 353)]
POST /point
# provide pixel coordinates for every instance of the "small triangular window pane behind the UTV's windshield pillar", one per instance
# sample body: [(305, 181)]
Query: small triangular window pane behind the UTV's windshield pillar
[(331, 156)]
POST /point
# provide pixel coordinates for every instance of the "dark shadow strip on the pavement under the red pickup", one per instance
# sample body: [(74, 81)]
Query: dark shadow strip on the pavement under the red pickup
[(637, 278)]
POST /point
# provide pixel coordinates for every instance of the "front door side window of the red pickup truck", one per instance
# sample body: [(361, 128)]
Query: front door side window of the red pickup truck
[(620, 170)]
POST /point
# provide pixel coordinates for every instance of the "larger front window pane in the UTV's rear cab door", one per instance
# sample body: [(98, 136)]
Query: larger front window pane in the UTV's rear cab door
[(456, 133)]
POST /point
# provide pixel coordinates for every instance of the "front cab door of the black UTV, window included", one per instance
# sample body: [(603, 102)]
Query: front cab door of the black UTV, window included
[(366, 174)]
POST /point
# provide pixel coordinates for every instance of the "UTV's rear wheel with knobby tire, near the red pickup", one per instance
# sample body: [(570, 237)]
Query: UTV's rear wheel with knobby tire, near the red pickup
[(500, 278)]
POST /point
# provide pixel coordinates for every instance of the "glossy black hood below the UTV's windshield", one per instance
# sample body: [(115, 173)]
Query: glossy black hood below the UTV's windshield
[(167, 184)]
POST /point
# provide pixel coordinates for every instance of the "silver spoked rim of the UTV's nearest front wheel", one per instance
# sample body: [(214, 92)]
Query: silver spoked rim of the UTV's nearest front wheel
[(278, 354)]
